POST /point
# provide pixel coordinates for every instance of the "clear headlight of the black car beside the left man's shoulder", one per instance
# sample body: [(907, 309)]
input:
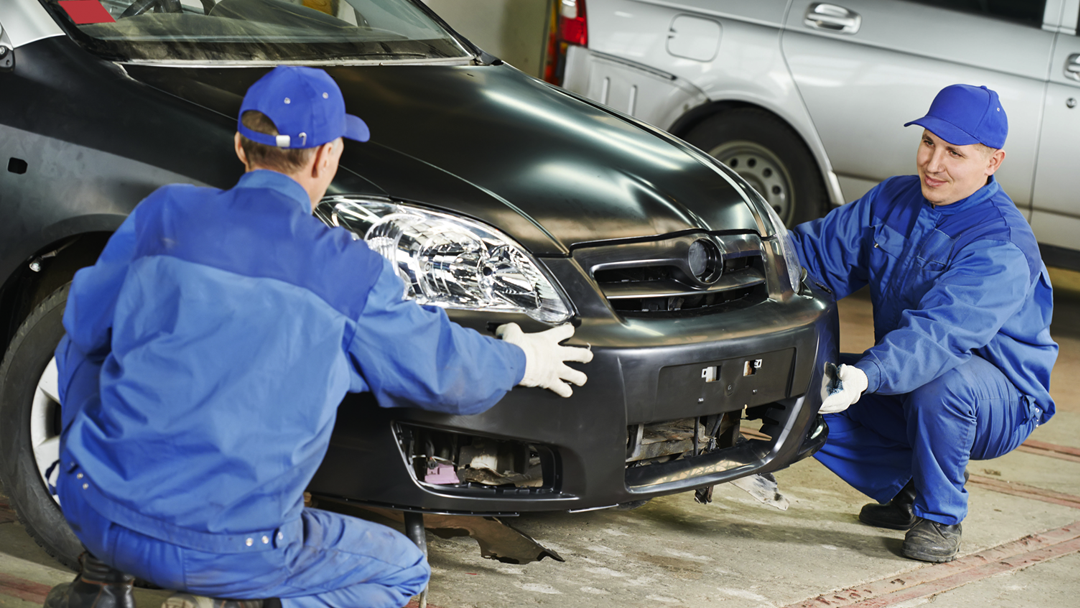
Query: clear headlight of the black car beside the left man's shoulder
[(450, 262)]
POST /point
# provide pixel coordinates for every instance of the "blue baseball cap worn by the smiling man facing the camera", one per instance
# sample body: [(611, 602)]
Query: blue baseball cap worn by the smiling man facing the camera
[(964, 115)]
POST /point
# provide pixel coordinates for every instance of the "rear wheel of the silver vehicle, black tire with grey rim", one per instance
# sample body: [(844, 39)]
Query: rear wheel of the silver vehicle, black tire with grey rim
[(769, 156)]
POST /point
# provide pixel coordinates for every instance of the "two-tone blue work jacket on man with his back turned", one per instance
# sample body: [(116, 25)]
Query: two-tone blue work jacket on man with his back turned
[(210, 347)]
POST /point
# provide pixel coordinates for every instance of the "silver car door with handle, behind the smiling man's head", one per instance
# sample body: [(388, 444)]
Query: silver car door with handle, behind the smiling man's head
[(892, 67)]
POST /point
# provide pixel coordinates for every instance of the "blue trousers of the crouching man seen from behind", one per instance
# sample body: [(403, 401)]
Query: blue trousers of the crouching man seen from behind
[(342, 562)]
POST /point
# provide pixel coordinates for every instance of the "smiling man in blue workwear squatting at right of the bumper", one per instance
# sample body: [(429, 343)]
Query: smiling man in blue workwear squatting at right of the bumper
[(961, 369)]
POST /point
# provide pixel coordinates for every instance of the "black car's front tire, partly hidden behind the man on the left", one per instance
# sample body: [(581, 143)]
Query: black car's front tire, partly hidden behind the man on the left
[(26, 424)]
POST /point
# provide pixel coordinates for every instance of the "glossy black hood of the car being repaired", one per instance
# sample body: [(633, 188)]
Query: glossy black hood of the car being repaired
[(550, 169)]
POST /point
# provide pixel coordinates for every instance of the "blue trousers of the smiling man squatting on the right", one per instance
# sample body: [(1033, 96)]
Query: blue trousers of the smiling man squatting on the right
[(971, 413)]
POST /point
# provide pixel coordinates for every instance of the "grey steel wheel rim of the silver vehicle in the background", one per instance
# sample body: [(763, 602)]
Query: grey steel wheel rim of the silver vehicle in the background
[(764, 171)]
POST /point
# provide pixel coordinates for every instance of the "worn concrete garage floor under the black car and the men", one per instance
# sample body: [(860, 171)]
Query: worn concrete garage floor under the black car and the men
[(1021, 543)]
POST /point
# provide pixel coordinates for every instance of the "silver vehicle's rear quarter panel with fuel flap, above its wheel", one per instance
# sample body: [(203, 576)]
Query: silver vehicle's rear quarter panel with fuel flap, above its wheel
[(748, 47)]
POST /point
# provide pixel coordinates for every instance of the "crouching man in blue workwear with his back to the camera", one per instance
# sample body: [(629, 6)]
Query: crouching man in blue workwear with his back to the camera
[(207, 355)]
